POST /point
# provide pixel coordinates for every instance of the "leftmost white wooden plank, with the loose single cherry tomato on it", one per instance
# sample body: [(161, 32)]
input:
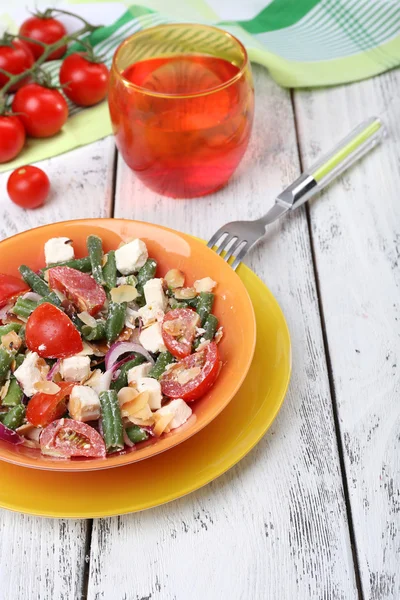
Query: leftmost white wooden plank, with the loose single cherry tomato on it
[(44, 558)]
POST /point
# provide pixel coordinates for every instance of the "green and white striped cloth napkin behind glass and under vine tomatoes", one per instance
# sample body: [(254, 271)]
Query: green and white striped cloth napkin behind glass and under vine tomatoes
[(303, 43)]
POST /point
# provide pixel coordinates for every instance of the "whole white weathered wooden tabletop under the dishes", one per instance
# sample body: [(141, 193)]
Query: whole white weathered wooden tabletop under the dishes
[(313, 512)]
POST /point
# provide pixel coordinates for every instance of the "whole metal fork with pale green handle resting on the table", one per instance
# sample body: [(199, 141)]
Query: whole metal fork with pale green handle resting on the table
[(238, 237)]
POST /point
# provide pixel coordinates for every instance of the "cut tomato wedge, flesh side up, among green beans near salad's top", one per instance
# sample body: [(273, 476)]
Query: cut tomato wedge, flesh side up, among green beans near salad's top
[(80, 288)]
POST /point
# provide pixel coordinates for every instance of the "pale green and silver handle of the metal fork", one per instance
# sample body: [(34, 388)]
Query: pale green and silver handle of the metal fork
[(362, 139)]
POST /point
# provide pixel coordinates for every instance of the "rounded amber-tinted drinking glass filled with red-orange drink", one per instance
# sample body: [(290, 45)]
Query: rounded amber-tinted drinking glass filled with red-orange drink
[(181, 102)]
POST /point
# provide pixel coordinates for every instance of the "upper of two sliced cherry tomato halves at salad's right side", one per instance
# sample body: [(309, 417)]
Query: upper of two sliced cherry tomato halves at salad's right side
[(179, 330)]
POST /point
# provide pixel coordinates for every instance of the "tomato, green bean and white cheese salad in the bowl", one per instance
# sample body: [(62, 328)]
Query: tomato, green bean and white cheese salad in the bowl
[(99, 353)]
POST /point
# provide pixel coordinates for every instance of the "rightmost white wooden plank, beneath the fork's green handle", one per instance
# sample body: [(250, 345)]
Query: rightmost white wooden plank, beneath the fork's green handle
[(355, 229)]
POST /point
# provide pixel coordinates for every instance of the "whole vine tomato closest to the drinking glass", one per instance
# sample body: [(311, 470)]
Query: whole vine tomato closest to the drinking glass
[(87, 81)]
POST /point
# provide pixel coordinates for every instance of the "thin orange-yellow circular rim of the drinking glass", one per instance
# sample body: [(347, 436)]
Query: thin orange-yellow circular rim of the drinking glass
[(212, 90)]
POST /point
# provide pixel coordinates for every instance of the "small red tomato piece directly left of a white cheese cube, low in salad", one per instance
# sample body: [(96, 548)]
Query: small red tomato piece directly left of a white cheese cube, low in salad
[(44, 408)]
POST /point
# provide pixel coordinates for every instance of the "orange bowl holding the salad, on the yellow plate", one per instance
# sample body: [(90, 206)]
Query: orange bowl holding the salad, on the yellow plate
[(171, 250)]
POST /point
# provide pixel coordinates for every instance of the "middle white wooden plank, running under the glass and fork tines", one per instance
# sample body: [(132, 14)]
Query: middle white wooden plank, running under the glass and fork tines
[(274, 526)]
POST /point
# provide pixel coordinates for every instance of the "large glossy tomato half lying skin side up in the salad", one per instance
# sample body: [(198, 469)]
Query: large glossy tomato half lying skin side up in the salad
[(51, 334)]
